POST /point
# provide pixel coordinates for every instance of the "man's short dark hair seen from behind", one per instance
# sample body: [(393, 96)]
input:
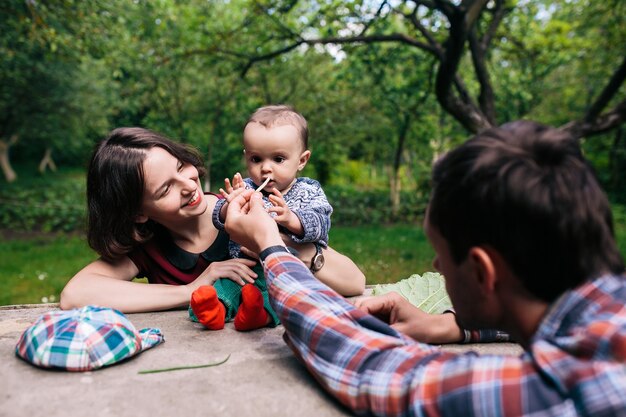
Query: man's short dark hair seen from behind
[(527, 191)]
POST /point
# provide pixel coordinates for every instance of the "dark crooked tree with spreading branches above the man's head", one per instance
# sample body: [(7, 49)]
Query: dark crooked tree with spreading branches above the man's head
[(464, 38)]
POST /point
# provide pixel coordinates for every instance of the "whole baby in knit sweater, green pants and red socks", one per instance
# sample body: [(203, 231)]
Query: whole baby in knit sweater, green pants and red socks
[(275, 141)]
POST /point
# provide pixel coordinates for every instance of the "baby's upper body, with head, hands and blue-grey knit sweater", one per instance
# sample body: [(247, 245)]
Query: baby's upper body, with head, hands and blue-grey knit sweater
[(275, 141)]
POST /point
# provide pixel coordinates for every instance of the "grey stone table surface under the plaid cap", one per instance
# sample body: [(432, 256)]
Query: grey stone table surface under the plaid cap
[(262, 377)]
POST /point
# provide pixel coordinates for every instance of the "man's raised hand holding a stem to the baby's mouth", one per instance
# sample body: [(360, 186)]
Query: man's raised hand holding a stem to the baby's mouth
[(249, 224)]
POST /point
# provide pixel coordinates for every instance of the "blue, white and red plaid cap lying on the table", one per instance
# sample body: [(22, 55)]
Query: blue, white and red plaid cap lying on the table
[(83, 339)]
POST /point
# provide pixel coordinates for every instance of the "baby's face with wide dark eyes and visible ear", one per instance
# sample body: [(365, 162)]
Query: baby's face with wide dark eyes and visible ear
[(276, 152)]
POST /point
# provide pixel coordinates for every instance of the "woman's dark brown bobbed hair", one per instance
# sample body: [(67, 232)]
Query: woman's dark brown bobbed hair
[(115, 187)]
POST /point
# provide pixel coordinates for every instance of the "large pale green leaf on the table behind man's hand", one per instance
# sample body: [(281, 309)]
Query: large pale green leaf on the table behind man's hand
[(427, 292)]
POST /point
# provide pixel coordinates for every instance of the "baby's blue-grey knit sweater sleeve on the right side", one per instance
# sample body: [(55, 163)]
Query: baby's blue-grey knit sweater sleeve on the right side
[(314, 216)]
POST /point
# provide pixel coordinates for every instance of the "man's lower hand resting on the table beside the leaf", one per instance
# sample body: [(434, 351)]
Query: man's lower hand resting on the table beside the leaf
[(410, 320)]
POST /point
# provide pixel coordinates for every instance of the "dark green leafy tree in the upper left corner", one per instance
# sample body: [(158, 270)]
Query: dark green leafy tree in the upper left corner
[(48, 93)]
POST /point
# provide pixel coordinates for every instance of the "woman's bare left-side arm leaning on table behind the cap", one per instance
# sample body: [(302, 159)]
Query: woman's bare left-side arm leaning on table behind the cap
[(109, 284)]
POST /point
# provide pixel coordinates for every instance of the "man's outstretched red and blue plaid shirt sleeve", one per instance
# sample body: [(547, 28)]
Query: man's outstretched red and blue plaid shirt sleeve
[(373, 369)]
